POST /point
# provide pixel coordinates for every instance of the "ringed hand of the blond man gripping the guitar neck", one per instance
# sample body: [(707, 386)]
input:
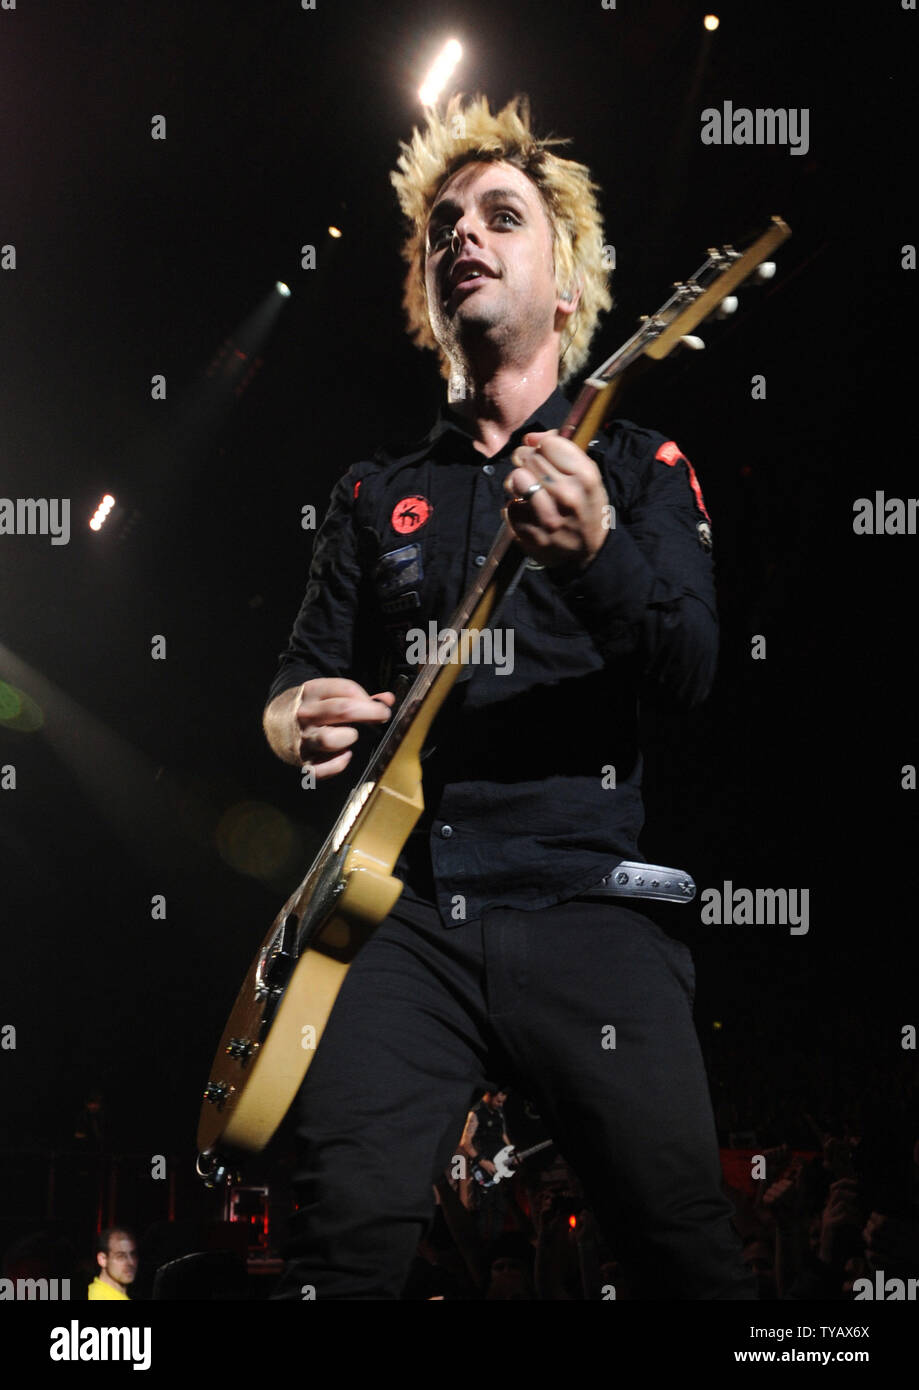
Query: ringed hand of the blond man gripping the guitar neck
[(568, 521)]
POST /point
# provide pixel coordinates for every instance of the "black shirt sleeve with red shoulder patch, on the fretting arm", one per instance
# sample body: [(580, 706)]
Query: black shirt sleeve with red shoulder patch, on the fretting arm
[(650, 590)]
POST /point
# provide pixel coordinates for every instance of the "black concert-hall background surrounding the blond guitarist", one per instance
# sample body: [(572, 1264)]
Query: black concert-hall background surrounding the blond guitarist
[(140, 256)]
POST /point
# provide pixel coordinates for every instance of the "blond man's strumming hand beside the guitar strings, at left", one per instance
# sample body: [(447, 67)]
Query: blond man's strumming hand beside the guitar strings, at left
[(312, 725)]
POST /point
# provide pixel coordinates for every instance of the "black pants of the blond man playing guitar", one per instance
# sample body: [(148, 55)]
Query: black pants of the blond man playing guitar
[(528, 1000)]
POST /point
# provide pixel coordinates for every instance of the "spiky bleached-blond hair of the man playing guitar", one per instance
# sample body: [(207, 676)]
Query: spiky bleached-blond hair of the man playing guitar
[(464, 136)]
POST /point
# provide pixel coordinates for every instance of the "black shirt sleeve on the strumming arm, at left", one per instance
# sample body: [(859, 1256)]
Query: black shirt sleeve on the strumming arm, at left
[(323, 637)]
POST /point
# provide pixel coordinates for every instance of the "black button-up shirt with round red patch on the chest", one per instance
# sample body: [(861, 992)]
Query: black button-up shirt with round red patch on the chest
[(533, 786)]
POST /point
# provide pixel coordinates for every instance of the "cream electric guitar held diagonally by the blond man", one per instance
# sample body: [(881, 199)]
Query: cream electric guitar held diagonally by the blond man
[(293, 985)]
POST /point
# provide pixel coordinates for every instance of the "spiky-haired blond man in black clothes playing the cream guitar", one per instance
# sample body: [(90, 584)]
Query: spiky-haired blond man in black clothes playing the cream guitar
[(504, 957)]
